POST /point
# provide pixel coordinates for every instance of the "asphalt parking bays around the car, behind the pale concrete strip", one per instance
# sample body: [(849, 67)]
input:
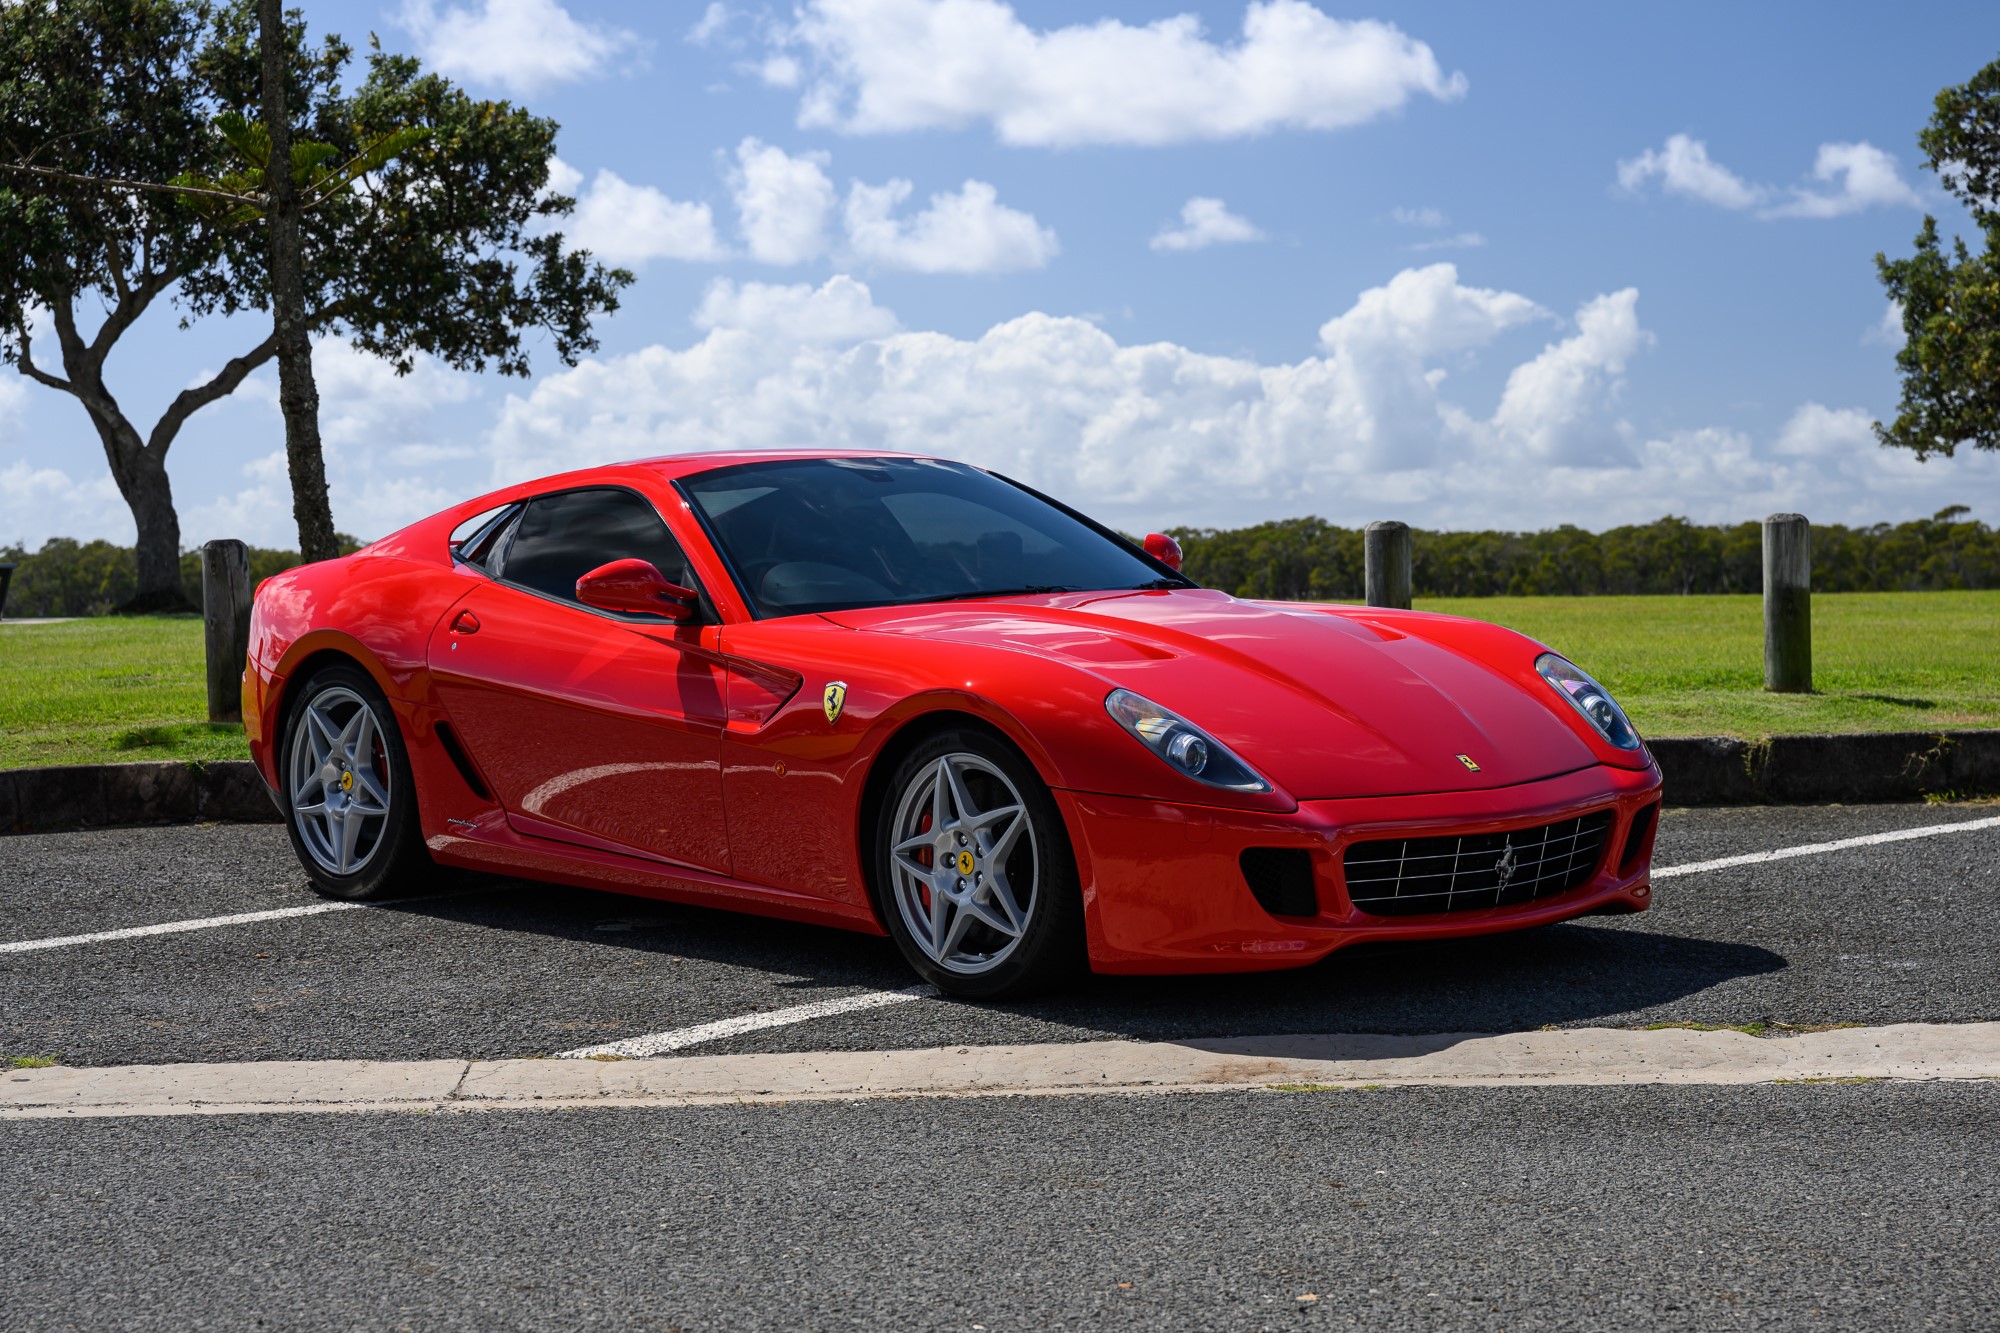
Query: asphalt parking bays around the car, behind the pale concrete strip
[(1889, 934)]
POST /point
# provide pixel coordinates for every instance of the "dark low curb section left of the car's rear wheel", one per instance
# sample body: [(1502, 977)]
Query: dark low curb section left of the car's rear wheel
[(145, 794)]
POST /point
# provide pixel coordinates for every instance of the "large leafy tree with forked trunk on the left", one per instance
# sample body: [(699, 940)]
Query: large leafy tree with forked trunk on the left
[(447, 251)]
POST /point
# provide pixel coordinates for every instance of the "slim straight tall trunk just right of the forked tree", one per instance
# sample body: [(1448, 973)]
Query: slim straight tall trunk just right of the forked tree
[(299, 397)]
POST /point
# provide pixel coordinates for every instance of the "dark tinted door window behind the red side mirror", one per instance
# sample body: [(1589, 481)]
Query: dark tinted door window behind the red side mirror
[(563, 537)]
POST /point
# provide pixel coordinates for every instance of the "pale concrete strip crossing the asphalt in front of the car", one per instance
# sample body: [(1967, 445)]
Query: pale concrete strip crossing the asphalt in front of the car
[(1575, 1058)]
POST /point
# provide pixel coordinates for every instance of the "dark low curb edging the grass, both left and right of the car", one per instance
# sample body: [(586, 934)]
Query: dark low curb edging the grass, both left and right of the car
[(1849, 770)]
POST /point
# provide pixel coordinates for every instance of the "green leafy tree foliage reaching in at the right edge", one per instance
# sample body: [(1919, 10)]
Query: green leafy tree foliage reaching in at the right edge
[(1951, 299)]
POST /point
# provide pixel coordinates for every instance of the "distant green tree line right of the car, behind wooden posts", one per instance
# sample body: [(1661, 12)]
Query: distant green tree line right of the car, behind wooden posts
[(1311, 559)]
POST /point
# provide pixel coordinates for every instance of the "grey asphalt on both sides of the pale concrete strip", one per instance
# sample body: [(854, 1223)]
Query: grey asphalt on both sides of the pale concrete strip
[(1775, 1206)]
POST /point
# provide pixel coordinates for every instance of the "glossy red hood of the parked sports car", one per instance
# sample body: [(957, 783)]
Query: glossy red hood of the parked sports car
[(1325, 704)]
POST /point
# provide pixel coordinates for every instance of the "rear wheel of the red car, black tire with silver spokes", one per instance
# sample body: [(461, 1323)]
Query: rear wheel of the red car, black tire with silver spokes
[(389, 852)]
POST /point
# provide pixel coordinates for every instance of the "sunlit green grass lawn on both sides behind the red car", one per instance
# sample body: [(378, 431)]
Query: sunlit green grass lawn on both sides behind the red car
[(115, 690)]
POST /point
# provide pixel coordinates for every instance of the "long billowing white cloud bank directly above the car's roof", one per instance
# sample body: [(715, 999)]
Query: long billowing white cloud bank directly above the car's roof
[(1061, 403)]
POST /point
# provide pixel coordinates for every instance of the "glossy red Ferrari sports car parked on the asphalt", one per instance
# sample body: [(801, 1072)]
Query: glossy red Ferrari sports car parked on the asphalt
[(905, 696)]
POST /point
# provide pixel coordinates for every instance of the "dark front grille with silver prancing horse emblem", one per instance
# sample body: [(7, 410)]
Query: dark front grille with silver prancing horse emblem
[(1409, 878)]
